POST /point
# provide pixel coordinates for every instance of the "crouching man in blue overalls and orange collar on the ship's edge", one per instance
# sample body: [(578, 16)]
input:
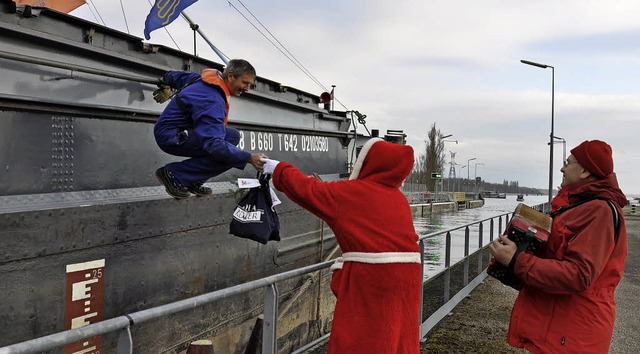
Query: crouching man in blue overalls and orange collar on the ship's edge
[(194, 124)]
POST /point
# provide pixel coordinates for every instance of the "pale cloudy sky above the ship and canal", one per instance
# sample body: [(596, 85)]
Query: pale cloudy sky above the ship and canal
[(456, 63)]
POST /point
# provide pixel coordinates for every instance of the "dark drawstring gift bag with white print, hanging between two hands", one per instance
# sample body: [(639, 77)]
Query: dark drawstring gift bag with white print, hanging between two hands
[(254, 217)]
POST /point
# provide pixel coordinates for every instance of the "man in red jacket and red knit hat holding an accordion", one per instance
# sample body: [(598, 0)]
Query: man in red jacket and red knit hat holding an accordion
[(567, 302)]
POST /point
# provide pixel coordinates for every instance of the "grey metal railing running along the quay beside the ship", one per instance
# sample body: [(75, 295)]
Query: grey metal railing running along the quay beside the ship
[(122, 324)]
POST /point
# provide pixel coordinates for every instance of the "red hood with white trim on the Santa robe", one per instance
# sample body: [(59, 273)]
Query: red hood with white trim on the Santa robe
[(383, 163)]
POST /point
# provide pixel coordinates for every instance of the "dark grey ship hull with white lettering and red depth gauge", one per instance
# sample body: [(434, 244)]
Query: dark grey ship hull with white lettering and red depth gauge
[(78, 194)]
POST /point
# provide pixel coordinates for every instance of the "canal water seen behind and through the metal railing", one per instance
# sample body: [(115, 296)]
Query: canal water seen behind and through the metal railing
[(435, 246)]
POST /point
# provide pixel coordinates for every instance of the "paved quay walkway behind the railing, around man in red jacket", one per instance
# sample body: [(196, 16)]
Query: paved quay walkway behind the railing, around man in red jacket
[(479, 323)]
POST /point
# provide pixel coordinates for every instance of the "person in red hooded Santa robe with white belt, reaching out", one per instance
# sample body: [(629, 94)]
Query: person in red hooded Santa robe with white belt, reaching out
[(377, 280)]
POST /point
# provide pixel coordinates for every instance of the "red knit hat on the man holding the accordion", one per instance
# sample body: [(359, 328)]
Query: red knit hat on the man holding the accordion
[(595, 156)]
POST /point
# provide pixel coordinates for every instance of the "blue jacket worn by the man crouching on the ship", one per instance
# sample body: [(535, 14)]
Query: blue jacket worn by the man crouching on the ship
[(207, 107)]
